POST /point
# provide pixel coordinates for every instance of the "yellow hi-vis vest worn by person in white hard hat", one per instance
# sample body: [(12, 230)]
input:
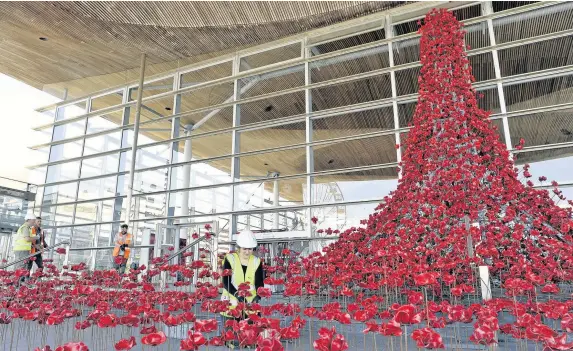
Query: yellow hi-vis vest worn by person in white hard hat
[(239, 277)]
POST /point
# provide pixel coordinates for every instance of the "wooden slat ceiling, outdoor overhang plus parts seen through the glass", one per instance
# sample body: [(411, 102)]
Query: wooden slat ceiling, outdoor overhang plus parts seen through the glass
[(95, 45)]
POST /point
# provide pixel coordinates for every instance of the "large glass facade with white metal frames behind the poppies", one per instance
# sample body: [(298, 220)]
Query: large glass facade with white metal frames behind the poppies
[(307, 127)]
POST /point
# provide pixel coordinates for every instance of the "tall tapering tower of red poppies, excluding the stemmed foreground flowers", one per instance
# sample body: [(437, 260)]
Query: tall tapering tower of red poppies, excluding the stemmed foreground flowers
[(455, 170)]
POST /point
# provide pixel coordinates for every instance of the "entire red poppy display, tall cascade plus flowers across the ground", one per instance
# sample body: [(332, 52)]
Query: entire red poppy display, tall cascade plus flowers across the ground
[(408, 272)]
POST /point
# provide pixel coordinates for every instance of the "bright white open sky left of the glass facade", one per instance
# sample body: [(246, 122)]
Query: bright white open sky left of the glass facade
[(18, 102)]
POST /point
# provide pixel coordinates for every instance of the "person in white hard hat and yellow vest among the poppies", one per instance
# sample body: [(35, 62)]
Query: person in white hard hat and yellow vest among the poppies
[(246, 268)]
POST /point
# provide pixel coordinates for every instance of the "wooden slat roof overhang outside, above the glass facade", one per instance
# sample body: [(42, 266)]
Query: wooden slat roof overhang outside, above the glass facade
[(94, 38)]
